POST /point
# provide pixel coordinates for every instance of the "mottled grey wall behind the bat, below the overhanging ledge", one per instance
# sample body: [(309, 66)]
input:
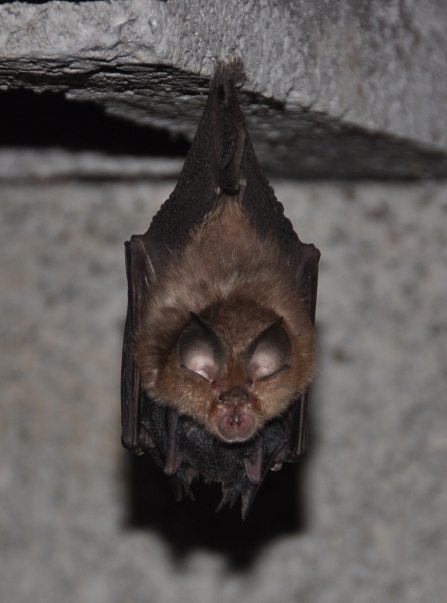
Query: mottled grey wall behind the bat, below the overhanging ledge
[(375, 485)]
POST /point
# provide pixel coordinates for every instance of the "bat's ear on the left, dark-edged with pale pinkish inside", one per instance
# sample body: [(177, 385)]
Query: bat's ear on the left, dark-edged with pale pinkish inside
[(200, 350)]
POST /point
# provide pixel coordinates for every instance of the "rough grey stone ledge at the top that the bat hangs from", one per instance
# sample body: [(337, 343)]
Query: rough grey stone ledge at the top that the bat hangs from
[(341, 89)]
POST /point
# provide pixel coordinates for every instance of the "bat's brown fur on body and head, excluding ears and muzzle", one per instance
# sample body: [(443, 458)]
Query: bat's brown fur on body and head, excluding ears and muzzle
[(239, 285)]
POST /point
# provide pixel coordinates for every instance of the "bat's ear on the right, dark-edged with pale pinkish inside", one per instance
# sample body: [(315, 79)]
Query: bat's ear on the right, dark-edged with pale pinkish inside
[(268, 353)]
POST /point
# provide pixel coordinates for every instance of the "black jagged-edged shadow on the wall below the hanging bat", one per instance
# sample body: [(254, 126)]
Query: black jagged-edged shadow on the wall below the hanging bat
[(277, 510)]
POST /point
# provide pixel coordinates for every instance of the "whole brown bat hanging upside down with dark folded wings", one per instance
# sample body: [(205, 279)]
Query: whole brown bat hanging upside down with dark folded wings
[(219, 350)]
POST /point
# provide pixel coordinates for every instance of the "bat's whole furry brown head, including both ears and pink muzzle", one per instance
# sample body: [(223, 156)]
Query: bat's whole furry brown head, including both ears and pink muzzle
[(233, 371)]
